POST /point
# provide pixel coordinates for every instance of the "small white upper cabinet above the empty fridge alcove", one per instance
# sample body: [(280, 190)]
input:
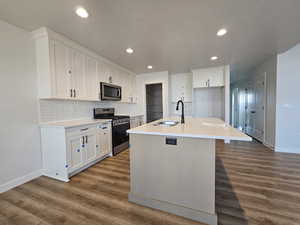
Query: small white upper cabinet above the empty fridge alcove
[(208, 77)]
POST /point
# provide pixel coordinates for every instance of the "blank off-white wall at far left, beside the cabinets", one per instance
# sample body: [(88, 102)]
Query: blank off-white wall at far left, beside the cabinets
[(20, 155)]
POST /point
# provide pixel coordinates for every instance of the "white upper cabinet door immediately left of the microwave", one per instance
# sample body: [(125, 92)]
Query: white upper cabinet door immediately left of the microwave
[(92, 84)]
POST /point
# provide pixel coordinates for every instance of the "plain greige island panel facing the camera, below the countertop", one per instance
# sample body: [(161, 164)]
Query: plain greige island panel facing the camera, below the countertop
[(182, 174)]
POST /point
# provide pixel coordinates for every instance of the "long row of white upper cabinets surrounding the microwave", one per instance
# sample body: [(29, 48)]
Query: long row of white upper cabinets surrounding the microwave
[(69, 71)]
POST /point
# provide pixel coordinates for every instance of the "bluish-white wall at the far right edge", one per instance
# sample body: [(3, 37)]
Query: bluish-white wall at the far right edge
[(288, 101)]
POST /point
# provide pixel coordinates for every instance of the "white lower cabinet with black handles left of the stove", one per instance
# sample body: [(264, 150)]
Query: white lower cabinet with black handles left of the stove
[(67, 151)]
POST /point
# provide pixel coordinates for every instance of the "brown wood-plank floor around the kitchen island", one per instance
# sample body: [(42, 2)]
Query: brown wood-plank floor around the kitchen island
[(254, 186)]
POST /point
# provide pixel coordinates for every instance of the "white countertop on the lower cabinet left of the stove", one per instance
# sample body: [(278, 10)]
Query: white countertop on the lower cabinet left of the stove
[(73, 123)]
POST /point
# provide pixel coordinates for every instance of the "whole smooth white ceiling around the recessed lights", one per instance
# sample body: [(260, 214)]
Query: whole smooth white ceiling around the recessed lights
[(173, 35)]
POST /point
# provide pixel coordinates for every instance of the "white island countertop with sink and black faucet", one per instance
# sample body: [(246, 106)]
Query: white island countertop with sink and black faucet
[(210, 128)]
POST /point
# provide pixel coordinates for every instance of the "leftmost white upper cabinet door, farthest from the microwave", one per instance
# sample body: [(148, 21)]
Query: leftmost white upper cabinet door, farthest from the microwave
[(62, 70)]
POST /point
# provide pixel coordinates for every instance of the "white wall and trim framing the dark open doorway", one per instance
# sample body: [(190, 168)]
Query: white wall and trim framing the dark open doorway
[(152, 78)]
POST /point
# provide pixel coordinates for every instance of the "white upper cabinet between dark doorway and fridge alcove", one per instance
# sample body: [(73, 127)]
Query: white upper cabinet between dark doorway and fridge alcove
[(182, 87)]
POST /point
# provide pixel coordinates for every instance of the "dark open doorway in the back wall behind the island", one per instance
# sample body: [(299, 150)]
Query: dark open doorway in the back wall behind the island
[(154, 102)]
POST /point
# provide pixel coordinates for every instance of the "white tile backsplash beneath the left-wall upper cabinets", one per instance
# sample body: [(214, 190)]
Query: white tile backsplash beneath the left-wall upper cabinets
[(57, 110)]
